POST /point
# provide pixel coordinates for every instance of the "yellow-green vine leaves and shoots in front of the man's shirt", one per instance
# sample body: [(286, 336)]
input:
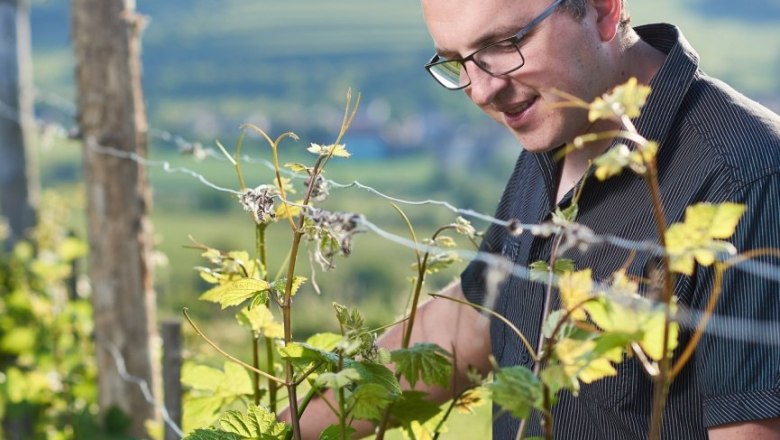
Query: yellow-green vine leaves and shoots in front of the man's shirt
[(601, 325)]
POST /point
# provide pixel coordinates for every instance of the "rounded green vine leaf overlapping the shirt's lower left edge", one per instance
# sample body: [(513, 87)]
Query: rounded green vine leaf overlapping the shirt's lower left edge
[(517, 390)]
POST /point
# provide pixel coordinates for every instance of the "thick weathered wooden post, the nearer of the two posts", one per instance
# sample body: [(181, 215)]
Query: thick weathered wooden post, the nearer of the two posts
[(112, 120)]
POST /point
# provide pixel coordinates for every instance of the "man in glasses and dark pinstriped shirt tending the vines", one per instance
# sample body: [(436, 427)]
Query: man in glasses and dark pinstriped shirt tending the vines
[(509, 57)]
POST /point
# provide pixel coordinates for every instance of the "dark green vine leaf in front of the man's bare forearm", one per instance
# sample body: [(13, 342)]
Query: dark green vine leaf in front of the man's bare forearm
[(425, 361)]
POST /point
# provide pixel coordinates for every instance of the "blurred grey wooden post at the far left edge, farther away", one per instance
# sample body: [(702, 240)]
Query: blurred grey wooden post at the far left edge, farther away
[(18, 174)]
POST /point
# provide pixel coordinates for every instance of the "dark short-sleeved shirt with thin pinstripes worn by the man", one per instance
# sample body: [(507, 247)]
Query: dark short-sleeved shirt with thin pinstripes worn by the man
[(715, 145)]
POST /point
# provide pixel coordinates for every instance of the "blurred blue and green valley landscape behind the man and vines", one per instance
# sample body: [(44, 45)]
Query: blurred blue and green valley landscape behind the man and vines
[(210, 66)]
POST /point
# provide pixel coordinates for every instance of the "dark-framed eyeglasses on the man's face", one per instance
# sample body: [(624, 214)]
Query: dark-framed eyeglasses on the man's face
[(498, 58)]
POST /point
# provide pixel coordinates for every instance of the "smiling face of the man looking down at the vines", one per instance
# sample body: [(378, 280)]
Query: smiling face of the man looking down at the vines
[(561, 53)]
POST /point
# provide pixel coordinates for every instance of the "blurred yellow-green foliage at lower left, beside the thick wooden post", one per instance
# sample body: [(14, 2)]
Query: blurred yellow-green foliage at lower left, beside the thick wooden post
[(48, 380)]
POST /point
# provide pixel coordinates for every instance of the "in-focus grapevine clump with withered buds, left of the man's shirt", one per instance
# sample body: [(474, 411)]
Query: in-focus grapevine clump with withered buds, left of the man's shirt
[(228, 402)]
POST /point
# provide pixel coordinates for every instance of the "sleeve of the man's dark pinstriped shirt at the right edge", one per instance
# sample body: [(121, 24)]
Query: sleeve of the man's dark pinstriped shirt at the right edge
[(738, 358)]
